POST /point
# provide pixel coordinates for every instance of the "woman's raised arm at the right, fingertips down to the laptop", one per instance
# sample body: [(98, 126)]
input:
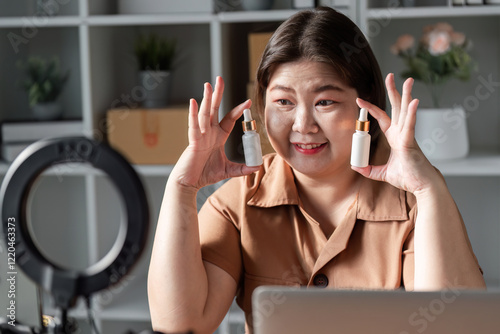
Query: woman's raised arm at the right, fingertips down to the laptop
[(443, 255)]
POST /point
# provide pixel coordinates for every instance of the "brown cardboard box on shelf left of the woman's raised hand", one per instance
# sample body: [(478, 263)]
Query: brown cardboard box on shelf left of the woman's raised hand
[(149, 136)]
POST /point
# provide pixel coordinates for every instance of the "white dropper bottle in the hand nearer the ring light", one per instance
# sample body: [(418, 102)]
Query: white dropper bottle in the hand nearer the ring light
[(251, 140)]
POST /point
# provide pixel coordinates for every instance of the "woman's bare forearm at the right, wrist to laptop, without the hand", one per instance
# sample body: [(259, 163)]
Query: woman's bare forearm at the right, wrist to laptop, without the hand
[(443, 254)]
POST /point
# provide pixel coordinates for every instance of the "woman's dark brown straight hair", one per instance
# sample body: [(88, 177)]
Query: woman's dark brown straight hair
[(327, 36)]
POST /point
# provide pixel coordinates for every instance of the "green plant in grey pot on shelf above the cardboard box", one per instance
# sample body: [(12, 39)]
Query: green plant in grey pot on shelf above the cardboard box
[(155, 56)]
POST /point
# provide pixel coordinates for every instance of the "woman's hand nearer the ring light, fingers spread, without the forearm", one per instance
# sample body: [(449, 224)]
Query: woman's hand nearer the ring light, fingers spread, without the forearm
[(204, 161)]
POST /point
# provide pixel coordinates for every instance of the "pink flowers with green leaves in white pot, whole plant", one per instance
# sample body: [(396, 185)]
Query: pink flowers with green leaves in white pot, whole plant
[(440, 55)]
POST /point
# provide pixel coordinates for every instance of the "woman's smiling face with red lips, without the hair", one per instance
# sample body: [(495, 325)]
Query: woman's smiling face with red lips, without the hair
[(310, 117)]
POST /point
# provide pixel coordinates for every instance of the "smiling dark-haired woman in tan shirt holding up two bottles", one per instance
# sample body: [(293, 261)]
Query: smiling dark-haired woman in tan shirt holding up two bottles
[(306, 217)]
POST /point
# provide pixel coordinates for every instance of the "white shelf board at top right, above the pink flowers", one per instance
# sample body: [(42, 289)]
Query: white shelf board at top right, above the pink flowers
[(427, 12)]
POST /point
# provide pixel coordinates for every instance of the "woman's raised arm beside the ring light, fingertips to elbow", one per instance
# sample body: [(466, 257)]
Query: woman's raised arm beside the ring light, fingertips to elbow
[(184, 292)]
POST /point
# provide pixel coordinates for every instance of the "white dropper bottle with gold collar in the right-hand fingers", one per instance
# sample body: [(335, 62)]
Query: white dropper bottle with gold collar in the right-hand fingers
[(360, 152)]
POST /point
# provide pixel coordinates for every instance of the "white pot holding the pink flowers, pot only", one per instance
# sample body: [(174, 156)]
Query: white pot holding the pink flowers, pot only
[(442, 133)]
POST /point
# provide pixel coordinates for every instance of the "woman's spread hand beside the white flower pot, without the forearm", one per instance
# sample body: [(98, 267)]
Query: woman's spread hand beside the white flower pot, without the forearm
[(407, 167)]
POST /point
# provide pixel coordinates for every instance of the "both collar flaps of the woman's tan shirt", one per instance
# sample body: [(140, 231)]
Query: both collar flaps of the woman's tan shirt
[(376, 201)]
